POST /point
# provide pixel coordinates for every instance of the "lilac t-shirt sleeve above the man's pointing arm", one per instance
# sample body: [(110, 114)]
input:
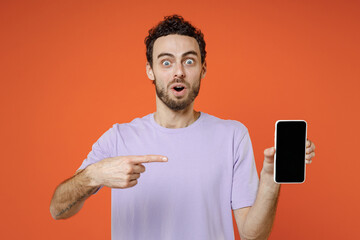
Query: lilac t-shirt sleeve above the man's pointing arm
[(103, 148)]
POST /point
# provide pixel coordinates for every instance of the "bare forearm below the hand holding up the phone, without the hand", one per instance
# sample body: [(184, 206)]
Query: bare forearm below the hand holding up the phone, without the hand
[(260, 218)]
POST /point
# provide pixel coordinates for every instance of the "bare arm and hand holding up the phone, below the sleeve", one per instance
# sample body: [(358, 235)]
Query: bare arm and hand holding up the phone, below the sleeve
[(256, 222)]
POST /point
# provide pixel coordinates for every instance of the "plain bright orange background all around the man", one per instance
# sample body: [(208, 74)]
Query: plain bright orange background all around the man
[(71, 69)]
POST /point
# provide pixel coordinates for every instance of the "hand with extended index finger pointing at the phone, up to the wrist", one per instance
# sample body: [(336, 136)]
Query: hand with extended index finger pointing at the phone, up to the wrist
[(121, 172)]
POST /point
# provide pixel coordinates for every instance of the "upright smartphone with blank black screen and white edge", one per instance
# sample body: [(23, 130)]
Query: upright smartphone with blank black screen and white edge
[(290, 146)]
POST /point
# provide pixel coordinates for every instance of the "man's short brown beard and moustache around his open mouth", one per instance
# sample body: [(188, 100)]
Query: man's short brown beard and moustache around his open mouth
[(177, 104)]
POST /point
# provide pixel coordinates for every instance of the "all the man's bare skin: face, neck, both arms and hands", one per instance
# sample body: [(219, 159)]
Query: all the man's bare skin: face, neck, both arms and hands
[(175, 59)]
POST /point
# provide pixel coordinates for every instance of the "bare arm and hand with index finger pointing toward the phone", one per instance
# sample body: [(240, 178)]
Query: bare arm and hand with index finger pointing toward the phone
[(117, 172)]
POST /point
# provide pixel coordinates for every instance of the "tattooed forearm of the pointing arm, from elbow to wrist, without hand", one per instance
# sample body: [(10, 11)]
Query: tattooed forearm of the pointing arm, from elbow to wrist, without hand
[(70, 195)]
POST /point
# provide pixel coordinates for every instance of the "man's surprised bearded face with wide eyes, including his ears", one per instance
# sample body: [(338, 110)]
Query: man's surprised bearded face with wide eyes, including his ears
[(177, 70)]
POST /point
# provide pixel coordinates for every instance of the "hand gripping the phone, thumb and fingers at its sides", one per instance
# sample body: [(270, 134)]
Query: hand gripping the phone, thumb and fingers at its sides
[(268, 166)]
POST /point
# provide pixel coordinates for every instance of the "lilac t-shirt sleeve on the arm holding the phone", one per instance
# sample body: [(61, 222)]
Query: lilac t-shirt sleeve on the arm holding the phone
[(245, 177)]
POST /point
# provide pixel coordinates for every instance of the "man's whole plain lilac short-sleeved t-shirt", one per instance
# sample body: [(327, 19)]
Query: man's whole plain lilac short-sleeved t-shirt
[(210, 171)]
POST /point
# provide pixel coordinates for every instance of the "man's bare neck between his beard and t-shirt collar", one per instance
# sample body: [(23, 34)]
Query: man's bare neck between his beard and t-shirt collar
[(169, 118)]
